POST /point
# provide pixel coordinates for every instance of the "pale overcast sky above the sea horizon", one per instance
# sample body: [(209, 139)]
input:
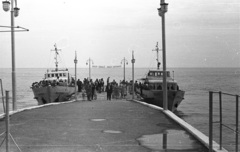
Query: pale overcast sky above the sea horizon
[(199, 33)]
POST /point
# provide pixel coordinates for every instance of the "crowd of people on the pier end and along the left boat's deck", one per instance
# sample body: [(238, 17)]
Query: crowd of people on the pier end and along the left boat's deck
[(90, 88)]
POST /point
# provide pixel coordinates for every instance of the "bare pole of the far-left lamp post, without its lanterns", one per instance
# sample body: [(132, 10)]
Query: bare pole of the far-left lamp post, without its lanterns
[(13, 59)]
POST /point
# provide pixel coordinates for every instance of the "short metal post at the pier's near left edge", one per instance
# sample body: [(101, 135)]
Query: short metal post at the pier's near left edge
[(7, 121)]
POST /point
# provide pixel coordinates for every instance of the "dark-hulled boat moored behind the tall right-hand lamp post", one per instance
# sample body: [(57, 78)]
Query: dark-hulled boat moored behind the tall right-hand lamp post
[(150, 88)]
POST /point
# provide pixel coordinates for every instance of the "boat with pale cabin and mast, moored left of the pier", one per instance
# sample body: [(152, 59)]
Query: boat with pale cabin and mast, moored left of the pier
[(56, 86)]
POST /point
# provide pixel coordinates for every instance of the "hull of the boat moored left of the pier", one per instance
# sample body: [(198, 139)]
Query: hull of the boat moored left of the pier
[(50, 94)]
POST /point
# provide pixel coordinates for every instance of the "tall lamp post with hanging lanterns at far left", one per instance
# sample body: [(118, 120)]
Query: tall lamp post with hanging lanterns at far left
[(14, 13)]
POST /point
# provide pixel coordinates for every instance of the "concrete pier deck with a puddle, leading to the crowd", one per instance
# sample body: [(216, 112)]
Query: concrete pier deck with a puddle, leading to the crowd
[(98, 126)]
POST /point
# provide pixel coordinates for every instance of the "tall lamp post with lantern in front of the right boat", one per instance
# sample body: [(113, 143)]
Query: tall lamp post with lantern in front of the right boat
[(161, 12)]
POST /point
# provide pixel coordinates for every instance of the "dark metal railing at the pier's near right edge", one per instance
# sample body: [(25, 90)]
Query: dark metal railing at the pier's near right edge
[(221, 120)]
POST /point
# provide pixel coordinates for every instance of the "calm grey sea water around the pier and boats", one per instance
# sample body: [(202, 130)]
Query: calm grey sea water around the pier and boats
[(196, 82)]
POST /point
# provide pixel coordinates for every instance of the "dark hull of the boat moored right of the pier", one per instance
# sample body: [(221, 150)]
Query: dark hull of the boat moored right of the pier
[(155, 97)]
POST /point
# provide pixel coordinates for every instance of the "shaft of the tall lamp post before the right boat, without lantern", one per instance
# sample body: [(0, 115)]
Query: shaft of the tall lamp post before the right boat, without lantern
[(165, 101)]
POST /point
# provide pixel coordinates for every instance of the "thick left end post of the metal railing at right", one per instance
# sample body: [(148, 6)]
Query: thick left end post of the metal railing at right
[(210, 119)]
